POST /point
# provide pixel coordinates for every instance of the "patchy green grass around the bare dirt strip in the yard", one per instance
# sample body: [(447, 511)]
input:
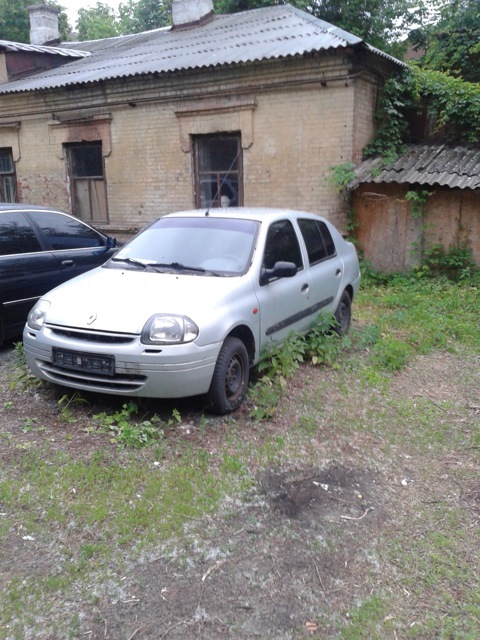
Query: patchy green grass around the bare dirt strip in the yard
[(96, 513)]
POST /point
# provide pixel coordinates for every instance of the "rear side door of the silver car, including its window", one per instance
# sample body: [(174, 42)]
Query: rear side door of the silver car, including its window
[(324, 263)]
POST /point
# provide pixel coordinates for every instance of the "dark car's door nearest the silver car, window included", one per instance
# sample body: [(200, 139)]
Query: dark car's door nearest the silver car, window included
[(75, 245)]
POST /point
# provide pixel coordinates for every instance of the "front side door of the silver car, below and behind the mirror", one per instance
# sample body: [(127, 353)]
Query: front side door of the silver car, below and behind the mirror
[(283, 302)]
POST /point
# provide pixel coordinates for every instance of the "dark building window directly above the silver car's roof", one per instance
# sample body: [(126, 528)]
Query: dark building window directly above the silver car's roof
[(218, 171)]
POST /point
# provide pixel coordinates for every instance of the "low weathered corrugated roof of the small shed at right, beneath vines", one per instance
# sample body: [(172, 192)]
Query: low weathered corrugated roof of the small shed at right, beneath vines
[(455, 167)]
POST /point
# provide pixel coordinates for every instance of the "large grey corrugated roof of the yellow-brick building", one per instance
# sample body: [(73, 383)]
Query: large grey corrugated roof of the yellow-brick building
[(260, 34)]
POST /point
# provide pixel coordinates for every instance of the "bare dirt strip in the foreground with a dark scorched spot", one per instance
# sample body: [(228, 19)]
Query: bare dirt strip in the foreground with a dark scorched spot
[(268, 569)]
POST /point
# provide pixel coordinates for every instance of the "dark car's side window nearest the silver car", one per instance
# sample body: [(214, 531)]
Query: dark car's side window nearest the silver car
[(63, 232)]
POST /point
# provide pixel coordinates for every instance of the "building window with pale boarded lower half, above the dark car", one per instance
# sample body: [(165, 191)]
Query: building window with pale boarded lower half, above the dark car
[(87, 176)]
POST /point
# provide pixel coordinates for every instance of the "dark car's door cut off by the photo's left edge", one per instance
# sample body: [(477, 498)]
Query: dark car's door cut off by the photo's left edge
[(27, 271)]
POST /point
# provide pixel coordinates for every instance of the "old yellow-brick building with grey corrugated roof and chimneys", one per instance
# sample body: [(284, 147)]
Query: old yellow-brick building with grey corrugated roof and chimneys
[(256, 106)]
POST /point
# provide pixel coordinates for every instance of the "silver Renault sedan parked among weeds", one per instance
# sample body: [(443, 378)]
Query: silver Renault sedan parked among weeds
[(191, 303)]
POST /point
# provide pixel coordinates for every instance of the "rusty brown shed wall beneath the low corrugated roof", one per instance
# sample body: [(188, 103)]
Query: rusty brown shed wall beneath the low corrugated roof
[(392, 239)]
